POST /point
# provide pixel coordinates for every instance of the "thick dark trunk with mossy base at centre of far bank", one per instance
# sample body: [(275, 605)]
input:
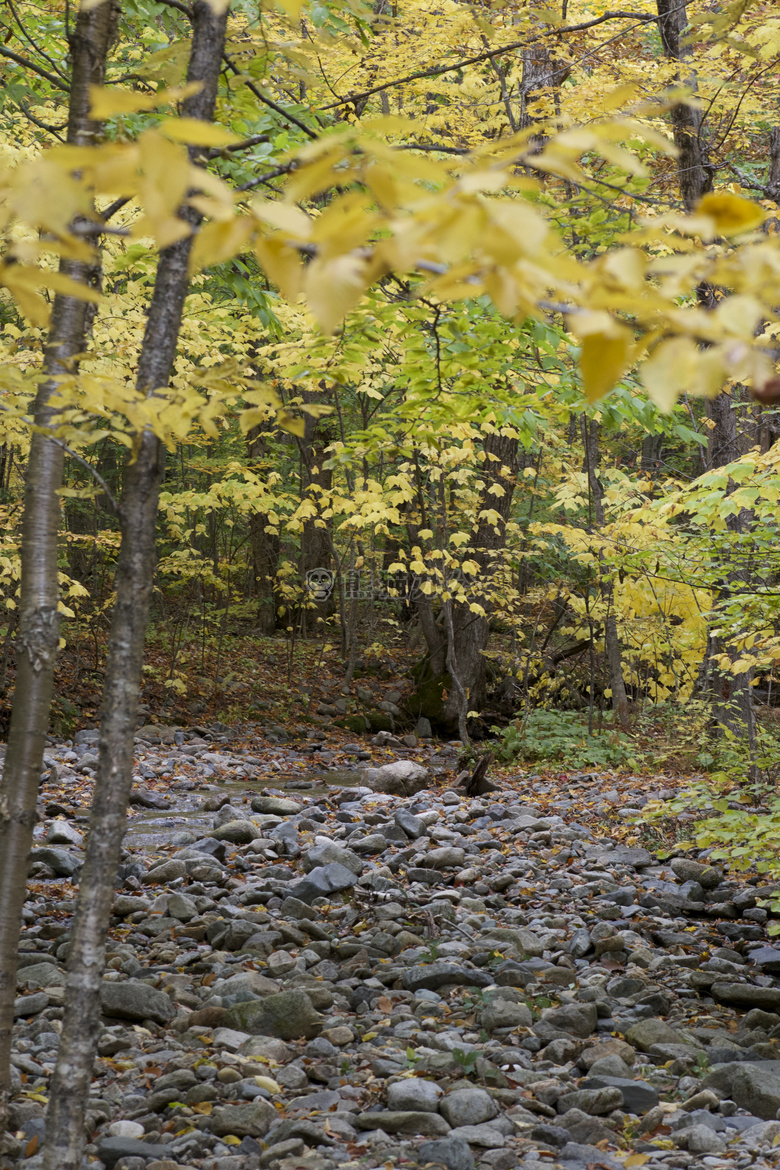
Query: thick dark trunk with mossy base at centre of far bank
[(467, 632)]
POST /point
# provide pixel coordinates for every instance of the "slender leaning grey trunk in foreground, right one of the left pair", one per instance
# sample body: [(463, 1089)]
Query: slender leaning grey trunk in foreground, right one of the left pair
[(65, 1137)]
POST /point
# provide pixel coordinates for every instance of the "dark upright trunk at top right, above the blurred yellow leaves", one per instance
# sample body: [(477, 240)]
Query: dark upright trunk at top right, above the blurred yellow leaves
[(694, 168)]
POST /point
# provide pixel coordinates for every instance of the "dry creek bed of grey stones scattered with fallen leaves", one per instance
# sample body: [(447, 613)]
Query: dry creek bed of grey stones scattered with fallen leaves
[(368, 969)]
